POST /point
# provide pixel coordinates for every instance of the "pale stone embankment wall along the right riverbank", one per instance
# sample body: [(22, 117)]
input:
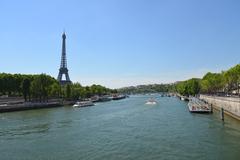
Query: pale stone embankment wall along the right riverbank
[(231, 105)]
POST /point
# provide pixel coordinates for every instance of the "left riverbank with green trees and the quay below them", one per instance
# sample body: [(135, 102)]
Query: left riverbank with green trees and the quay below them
[(24, 92)]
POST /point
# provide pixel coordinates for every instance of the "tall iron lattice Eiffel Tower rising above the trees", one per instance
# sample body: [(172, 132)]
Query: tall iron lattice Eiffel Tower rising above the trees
[(63, 68)]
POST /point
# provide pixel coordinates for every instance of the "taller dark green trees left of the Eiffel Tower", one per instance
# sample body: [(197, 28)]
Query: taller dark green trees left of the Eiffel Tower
[(32, 87)]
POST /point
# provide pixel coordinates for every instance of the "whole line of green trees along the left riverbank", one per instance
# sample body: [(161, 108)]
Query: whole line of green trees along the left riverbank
[(42, 87)]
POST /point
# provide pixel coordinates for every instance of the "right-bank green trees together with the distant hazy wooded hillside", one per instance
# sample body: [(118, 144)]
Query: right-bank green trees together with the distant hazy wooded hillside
[(225, 83)]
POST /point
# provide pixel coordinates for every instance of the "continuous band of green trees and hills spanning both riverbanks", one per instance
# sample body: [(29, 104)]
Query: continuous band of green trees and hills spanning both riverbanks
[(42, 87)]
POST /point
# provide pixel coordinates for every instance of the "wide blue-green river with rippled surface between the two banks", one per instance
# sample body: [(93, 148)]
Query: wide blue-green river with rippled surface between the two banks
[(119, 130)]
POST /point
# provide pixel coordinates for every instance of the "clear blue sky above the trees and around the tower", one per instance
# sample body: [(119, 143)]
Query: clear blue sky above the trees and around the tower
[(120, 42)]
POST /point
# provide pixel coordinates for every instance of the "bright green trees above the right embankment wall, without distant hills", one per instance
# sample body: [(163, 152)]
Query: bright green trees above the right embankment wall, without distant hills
[(226, 82)]
